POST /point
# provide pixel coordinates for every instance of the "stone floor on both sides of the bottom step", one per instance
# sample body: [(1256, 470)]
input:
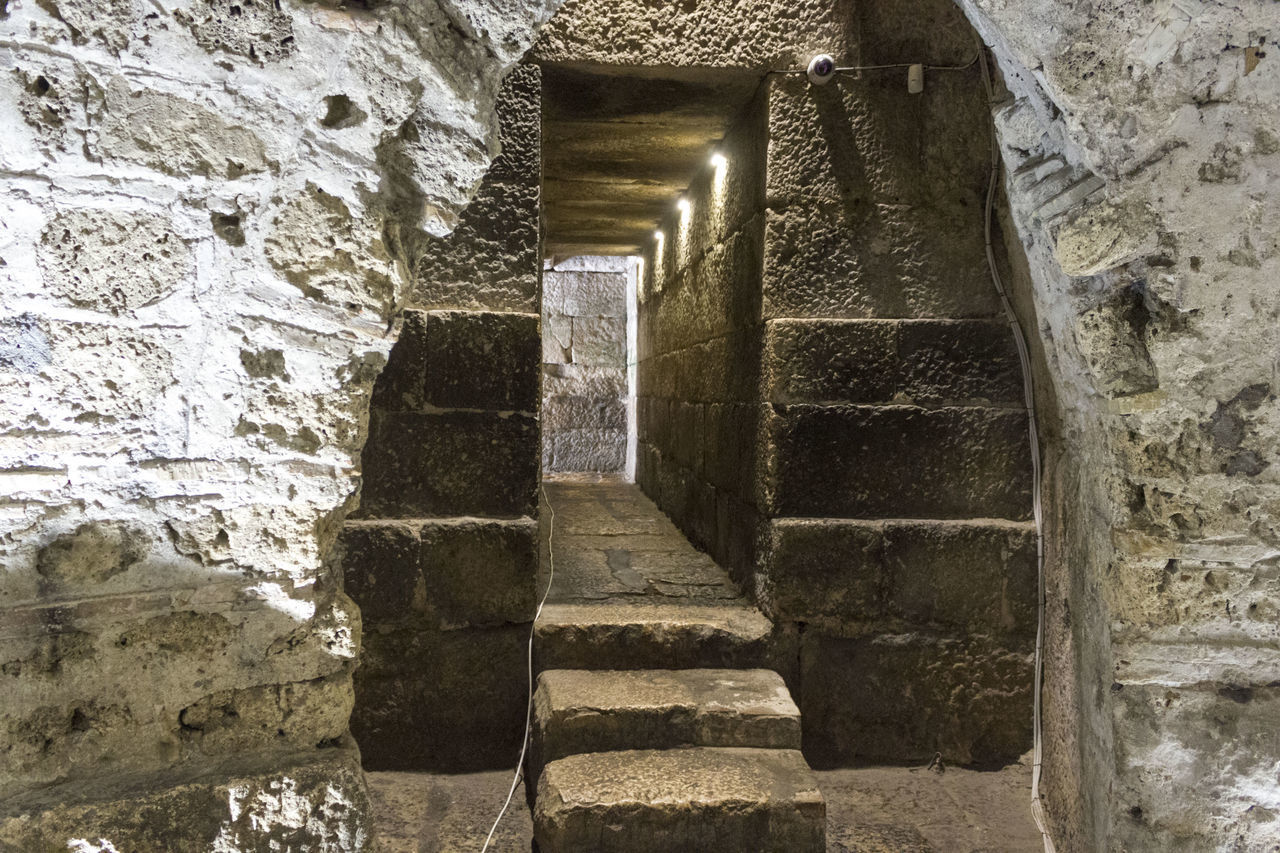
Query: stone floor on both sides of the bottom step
[(870, 810)]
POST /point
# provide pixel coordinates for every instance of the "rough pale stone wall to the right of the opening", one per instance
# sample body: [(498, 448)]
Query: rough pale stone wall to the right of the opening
[(1141, 170)]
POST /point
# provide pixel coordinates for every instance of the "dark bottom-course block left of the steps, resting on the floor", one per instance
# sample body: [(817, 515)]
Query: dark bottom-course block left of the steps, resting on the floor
[(459, 709)]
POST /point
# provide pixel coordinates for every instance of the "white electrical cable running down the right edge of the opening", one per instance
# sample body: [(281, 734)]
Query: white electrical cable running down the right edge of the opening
[(1037, 510)]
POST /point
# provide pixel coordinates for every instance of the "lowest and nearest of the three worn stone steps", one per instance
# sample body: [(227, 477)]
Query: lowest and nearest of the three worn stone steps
[(678, 801)]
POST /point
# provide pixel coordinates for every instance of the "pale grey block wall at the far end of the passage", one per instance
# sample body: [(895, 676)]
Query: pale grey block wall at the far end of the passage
[(586, 399)]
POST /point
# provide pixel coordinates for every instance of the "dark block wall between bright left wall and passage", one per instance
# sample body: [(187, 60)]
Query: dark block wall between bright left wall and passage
[(442, 555)]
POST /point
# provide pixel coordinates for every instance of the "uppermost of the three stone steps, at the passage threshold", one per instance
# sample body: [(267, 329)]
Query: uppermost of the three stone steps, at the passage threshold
[(639, 636)]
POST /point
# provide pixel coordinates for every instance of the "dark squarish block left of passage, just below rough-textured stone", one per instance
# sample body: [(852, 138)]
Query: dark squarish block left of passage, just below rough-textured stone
[(482, 361)]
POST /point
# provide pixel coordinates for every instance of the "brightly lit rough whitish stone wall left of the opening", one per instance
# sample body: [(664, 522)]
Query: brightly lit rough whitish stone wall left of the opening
[(202, 253)]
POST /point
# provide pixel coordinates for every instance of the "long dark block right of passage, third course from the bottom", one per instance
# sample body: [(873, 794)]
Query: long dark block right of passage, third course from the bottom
[(899, 462)]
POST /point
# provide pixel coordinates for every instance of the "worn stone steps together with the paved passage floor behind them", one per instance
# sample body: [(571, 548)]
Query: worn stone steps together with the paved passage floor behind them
[(655, 727)]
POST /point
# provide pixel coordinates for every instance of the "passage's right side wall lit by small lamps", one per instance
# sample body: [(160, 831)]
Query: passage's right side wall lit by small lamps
[(700, 354)]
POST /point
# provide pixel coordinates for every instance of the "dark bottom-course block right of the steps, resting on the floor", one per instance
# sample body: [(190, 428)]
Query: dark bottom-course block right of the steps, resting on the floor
[(903, 697)]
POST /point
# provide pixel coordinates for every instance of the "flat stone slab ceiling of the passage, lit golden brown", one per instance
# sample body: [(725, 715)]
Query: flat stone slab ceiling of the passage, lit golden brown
[(620, 148)]
